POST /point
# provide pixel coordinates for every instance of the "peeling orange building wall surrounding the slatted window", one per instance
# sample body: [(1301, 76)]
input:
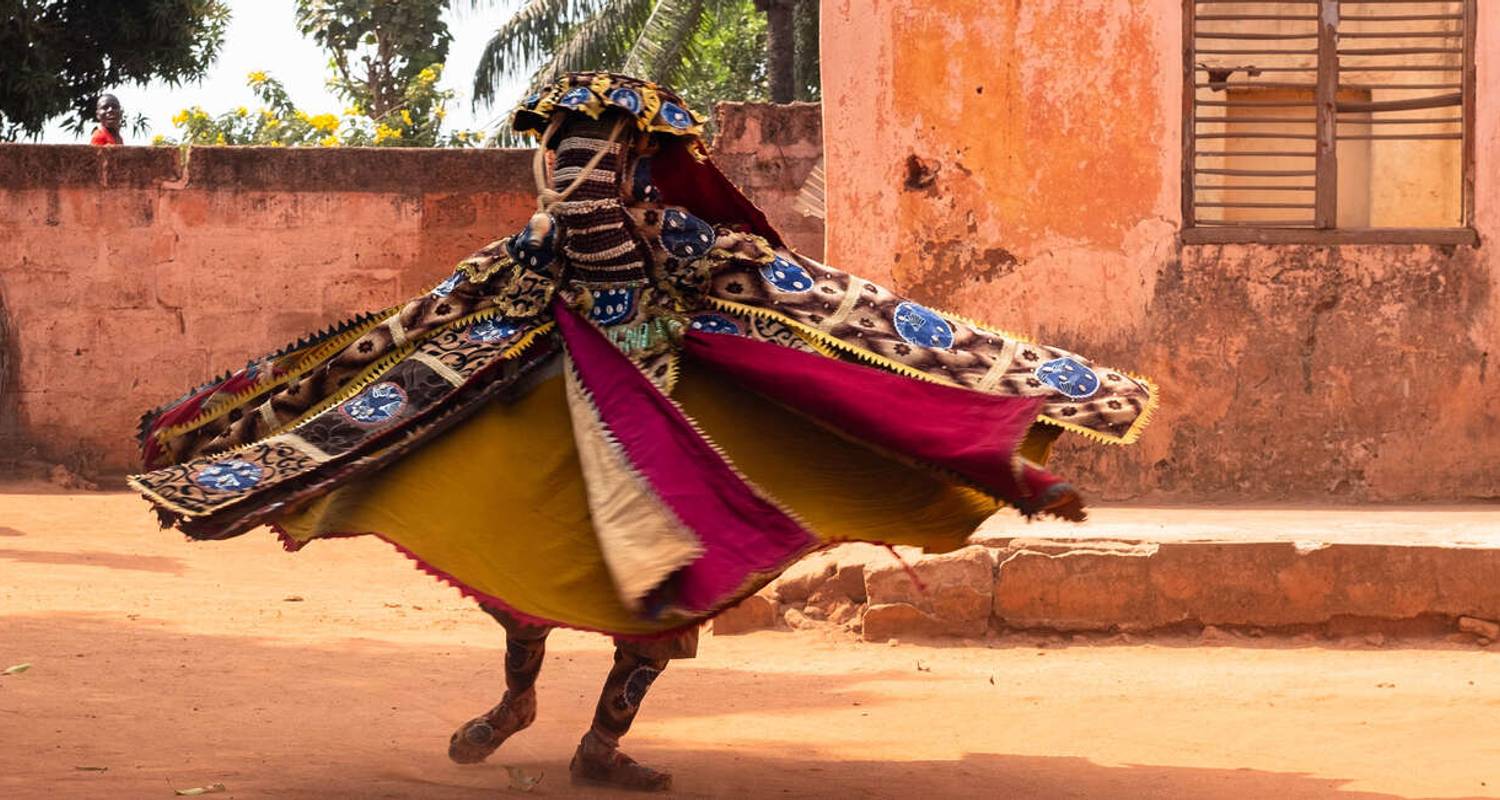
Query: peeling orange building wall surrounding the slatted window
[(1019, 163)]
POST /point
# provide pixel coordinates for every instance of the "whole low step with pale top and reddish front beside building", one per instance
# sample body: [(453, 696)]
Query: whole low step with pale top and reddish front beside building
[(1162, 570)]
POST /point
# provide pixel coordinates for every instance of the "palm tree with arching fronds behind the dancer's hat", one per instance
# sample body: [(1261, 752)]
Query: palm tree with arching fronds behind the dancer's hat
[(682, 43)]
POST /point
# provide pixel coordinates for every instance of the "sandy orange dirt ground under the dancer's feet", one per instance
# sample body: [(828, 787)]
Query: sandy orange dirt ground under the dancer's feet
[(341, 672)]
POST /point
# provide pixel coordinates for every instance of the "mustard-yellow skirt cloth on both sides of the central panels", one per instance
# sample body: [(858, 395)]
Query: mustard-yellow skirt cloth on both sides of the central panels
[(499, 505)]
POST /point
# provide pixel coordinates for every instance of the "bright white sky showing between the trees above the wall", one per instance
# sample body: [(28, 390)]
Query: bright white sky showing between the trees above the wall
[(263, 35)]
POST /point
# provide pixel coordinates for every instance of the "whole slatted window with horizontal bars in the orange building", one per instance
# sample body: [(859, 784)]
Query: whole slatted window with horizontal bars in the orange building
[(1327, 121)]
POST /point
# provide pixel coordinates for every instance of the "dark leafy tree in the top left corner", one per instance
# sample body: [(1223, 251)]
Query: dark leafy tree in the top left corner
[(58, 56)]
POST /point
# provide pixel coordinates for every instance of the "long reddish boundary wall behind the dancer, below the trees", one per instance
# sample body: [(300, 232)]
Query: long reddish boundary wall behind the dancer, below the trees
[(127, 277)]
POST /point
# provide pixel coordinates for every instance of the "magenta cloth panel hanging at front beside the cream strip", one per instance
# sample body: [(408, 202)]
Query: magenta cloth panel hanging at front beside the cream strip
[(742, 532)]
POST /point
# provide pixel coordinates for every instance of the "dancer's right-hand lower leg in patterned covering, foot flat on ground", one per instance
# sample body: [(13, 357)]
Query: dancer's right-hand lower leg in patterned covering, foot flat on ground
[(598, 759)]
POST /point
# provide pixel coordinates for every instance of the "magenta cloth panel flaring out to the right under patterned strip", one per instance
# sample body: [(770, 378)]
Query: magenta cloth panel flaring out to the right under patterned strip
[(970, 433)]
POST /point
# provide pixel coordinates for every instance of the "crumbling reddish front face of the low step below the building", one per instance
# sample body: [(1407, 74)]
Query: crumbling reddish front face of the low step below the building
[(1103, 586)]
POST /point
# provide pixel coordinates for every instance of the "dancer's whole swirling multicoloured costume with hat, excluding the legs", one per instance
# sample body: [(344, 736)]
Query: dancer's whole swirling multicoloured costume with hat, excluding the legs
[(640, 409)]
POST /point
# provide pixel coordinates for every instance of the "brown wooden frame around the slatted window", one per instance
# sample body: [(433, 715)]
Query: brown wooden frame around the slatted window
[(1325, 230)]
